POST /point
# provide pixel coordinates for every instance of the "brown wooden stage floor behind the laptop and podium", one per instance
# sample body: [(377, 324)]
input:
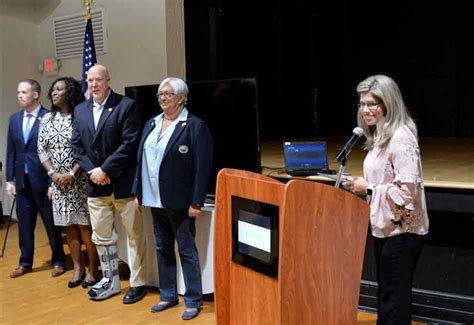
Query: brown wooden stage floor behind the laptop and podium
[(447, 162)]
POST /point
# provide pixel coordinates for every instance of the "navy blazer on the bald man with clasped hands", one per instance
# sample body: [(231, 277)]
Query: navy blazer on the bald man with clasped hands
[(112, 147)]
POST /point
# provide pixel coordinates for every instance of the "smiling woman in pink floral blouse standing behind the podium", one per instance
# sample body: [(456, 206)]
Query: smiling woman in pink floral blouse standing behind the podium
[(393, 183)]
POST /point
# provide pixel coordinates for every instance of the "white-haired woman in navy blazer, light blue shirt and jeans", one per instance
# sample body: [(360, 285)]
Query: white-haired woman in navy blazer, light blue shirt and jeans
[(174, 164)]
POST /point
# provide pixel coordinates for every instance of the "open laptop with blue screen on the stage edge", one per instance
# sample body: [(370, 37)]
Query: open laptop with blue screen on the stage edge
[(306, 158)]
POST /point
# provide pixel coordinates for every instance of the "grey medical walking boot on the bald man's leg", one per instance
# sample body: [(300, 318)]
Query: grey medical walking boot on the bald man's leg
[(110, 283)]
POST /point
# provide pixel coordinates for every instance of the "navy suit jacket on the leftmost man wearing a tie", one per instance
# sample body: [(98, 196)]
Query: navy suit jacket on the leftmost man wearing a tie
[(19, 153)]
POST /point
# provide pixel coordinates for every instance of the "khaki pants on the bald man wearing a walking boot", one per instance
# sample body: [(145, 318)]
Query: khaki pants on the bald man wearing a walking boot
[(102, 211)]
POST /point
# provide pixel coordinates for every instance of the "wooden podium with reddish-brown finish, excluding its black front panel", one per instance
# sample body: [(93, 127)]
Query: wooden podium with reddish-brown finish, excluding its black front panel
[(322, 234)]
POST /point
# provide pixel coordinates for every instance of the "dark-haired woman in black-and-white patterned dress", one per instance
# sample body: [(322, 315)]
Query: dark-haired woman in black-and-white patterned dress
[(69, 192)]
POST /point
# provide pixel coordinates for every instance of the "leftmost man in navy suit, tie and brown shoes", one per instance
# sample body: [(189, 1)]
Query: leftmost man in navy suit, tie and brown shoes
[(29, 181)]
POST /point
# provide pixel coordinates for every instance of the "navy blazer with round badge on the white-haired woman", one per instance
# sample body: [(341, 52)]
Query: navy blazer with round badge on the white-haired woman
[(184, 174)]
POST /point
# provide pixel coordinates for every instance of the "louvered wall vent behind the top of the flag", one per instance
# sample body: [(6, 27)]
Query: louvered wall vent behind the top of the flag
[(69, 34)]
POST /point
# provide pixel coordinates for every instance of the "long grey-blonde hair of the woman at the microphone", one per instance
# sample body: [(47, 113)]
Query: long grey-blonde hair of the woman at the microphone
[(395, 112)]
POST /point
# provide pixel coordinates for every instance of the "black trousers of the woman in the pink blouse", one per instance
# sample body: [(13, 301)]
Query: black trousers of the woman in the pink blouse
[(396, 259)]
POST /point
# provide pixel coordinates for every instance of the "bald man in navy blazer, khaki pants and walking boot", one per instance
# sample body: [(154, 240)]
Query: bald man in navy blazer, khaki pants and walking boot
[(105, 140)]
